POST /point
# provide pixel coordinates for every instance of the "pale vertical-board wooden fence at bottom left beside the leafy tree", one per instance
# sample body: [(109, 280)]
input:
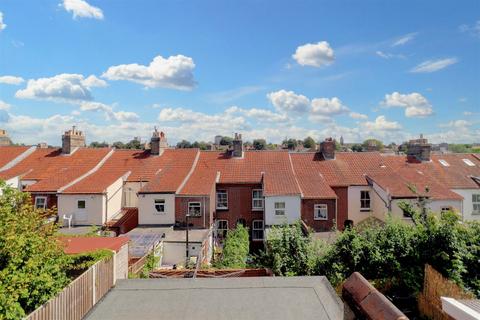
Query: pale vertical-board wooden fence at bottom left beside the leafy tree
[(74, 301)]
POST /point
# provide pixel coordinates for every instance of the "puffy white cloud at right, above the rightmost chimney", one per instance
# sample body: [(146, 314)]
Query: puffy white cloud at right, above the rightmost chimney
[(414, 103)]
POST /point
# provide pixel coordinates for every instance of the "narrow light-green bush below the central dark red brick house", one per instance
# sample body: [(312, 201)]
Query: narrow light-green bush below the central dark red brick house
[(235, 249)]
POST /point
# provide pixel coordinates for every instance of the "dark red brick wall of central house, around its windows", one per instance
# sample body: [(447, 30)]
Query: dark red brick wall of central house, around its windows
[(239, 205)]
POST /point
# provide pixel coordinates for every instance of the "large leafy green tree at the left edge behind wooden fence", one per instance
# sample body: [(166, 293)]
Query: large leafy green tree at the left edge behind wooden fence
[(32, 263)]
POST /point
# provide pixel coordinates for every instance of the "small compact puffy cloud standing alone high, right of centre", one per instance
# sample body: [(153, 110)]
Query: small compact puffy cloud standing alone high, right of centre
[(314, 54)]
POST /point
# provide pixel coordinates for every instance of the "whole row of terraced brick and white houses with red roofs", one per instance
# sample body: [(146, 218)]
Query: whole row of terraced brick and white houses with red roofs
[(165, 187)]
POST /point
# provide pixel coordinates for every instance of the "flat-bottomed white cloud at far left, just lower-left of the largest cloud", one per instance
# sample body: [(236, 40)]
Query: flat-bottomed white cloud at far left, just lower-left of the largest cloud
[(64, 87)]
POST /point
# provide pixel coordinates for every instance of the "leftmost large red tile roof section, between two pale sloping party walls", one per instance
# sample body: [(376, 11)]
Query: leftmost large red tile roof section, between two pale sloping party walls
[(54, 170)]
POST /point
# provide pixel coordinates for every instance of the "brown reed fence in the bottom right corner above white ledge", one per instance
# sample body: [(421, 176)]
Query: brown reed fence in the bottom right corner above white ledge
[(435, 286)]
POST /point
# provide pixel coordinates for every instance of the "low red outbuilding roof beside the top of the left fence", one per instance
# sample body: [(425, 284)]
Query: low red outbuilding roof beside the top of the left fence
[(75, 245)]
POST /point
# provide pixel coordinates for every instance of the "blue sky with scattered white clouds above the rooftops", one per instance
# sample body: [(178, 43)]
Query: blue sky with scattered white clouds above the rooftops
[(272, 69)]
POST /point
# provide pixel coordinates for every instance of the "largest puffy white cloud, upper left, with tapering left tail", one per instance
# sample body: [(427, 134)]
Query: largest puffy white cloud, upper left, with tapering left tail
[(174, 72)]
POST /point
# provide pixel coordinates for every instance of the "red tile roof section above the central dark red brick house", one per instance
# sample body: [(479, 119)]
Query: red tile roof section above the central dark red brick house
[(273, 168)]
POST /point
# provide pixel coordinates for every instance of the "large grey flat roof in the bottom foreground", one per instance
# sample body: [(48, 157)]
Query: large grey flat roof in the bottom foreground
[(276, 298)]
